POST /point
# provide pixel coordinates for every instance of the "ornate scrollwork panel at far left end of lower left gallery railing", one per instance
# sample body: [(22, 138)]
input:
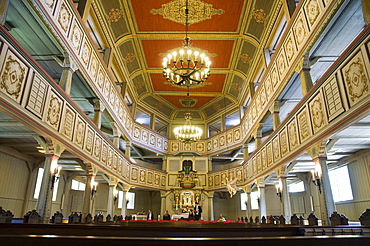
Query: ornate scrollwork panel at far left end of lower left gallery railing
[(13, 76)]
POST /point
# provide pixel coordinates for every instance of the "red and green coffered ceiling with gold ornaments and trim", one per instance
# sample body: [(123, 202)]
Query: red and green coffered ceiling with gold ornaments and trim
[(232, 33)]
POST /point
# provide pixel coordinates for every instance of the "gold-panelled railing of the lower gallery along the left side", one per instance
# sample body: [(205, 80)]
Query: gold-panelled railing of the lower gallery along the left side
[(38, 102)]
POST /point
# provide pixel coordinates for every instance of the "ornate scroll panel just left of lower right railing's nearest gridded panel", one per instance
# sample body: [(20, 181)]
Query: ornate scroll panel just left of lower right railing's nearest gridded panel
[(318, 113)]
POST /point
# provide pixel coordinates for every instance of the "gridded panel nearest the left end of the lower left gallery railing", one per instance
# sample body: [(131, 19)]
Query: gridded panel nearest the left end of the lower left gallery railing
[(36, 99)]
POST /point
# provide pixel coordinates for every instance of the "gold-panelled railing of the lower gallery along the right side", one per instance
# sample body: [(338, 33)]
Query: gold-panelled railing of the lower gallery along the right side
[(339, 98)]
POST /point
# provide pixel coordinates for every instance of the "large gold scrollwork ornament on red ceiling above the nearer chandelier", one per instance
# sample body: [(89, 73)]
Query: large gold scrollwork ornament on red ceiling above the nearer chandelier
[(198, 11)]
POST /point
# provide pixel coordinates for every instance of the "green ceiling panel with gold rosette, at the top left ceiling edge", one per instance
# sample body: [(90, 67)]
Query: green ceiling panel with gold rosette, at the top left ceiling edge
[(116, 17)]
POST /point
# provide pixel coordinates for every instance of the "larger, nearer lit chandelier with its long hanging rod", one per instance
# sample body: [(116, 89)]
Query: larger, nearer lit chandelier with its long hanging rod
[(187, 66)]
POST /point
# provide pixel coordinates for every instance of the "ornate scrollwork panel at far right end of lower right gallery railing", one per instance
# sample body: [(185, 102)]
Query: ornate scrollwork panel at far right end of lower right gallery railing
[(356, 79)]
